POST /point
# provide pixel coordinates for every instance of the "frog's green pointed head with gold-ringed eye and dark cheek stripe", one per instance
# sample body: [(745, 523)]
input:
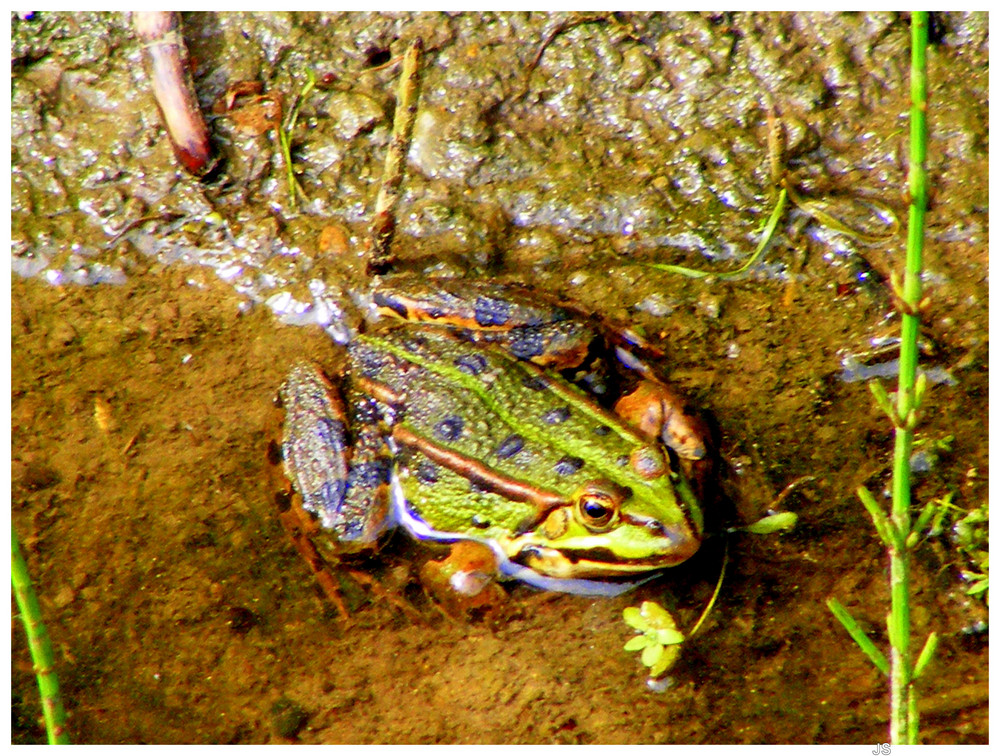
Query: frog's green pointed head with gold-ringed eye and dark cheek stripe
[(609, 530)]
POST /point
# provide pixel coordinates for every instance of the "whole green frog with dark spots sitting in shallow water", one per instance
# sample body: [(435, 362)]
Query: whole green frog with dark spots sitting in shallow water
[(458, 423)]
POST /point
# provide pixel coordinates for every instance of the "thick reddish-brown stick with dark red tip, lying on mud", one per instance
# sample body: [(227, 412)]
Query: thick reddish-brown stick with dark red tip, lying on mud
[(173, 88)]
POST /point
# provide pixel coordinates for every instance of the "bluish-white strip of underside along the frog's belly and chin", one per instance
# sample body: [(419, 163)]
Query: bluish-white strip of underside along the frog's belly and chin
[(400, 516)]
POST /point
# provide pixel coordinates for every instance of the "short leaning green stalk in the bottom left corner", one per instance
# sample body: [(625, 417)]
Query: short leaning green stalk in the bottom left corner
[(38, 642)]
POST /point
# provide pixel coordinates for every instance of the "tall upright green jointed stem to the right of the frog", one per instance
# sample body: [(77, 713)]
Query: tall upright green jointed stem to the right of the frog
[(903, 725)]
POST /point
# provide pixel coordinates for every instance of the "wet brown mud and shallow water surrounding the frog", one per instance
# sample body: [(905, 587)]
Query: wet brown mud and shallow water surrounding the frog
[(179, 612)]
